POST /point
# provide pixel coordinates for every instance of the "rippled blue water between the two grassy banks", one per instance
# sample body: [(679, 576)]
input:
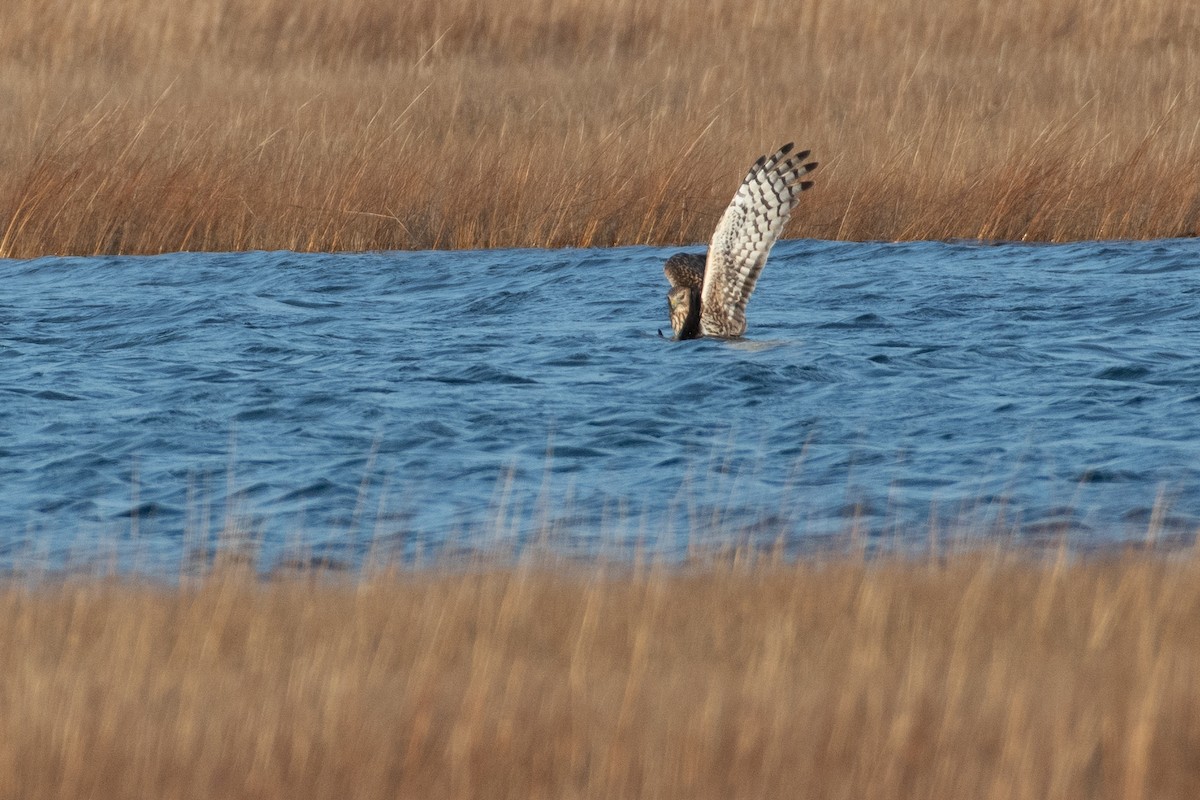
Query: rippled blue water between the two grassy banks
[(328, 402)]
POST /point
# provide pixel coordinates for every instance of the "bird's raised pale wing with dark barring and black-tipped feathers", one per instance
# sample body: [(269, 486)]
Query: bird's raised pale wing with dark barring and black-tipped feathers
[(746, 236)]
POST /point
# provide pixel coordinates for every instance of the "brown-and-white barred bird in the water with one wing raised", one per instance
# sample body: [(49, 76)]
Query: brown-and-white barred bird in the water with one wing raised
[(709, 294)]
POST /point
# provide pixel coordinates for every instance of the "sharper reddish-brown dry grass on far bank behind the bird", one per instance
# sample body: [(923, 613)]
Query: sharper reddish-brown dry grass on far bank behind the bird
[(146, 127)]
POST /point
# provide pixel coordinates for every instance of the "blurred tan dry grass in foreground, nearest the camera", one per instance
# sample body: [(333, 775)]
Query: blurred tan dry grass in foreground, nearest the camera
[(981, 676)]
